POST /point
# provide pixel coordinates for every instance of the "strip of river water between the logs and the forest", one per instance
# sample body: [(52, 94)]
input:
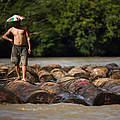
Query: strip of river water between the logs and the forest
[(75, 61)]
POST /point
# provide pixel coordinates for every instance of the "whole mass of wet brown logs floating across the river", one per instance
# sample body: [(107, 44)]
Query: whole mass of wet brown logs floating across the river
[(90, 85)]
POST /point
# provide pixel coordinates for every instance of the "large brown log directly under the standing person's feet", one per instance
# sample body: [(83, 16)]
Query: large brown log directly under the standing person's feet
[(29, 93)]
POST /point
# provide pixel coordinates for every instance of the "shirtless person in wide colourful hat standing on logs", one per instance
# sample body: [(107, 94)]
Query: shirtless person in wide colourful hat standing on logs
[(19, 49)]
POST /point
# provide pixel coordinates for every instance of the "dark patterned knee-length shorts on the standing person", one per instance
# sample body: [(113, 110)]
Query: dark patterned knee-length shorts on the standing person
[(19, 54)]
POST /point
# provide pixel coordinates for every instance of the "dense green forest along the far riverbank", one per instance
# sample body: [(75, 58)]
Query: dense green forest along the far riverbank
[(65, 27)]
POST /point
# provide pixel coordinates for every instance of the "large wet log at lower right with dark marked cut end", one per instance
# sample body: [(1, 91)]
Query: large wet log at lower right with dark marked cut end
[(83, 92)]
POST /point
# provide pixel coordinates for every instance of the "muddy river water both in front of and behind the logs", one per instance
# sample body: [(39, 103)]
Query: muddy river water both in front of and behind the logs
[(61, 111)]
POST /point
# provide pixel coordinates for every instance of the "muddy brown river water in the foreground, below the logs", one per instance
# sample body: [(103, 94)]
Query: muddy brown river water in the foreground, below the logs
[(60, 111)]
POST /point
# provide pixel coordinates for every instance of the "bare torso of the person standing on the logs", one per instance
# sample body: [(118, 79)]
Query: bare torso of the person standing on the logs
[(19, 35)]
